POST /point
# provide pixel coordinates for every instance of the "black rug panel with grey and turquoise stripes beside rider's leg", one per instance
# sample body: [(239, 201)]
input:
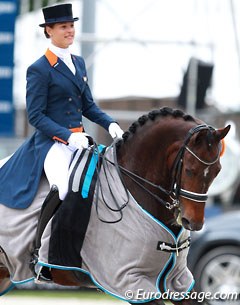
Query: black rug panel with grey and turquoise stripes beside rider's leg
[(70, 222)]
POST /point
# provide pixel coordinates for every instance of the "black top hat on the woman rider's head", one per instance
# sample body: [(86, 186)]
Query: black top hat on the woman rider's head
[(58, 13)]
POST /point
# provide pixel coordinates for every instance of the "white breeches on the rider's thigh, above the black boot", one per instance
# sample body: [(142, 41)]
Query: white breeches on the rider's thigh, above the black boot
[(56, 167)]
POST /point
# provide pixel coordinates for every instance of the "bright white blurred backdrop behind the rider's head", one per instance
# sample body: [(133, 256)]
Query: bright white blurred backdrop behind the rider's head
[(142, 47)]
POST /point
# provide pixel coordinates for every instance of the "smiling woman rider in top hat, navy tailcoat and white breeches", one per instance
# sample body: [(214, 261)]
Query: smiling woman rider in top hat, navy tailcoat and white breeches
[(57, 96)]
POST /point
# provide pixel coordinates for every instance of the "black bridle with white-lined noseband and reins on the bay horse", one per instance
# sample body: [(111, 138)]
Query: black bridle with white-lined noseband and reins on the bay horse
[(175, 191)]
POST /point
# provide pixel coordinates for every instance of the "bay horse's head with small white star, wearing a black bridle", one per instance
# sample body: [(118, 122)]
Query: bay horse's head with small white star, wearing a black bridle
[(196, 164)]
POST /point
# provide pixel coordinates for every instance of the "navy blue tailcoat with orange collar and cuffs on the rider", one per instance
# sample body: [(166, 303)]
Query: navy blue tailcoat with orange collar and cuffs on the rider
[(56, 101)]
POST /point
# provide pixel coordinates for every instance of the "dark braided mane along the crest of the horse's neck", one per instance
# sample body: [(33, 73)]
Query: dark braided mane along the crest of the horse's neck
[(152, 115)]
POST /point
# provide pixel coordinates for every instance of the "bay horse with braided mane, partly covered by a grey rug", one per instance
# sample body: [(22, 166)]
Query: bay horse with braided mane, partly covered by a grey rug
[(167, 160)]
